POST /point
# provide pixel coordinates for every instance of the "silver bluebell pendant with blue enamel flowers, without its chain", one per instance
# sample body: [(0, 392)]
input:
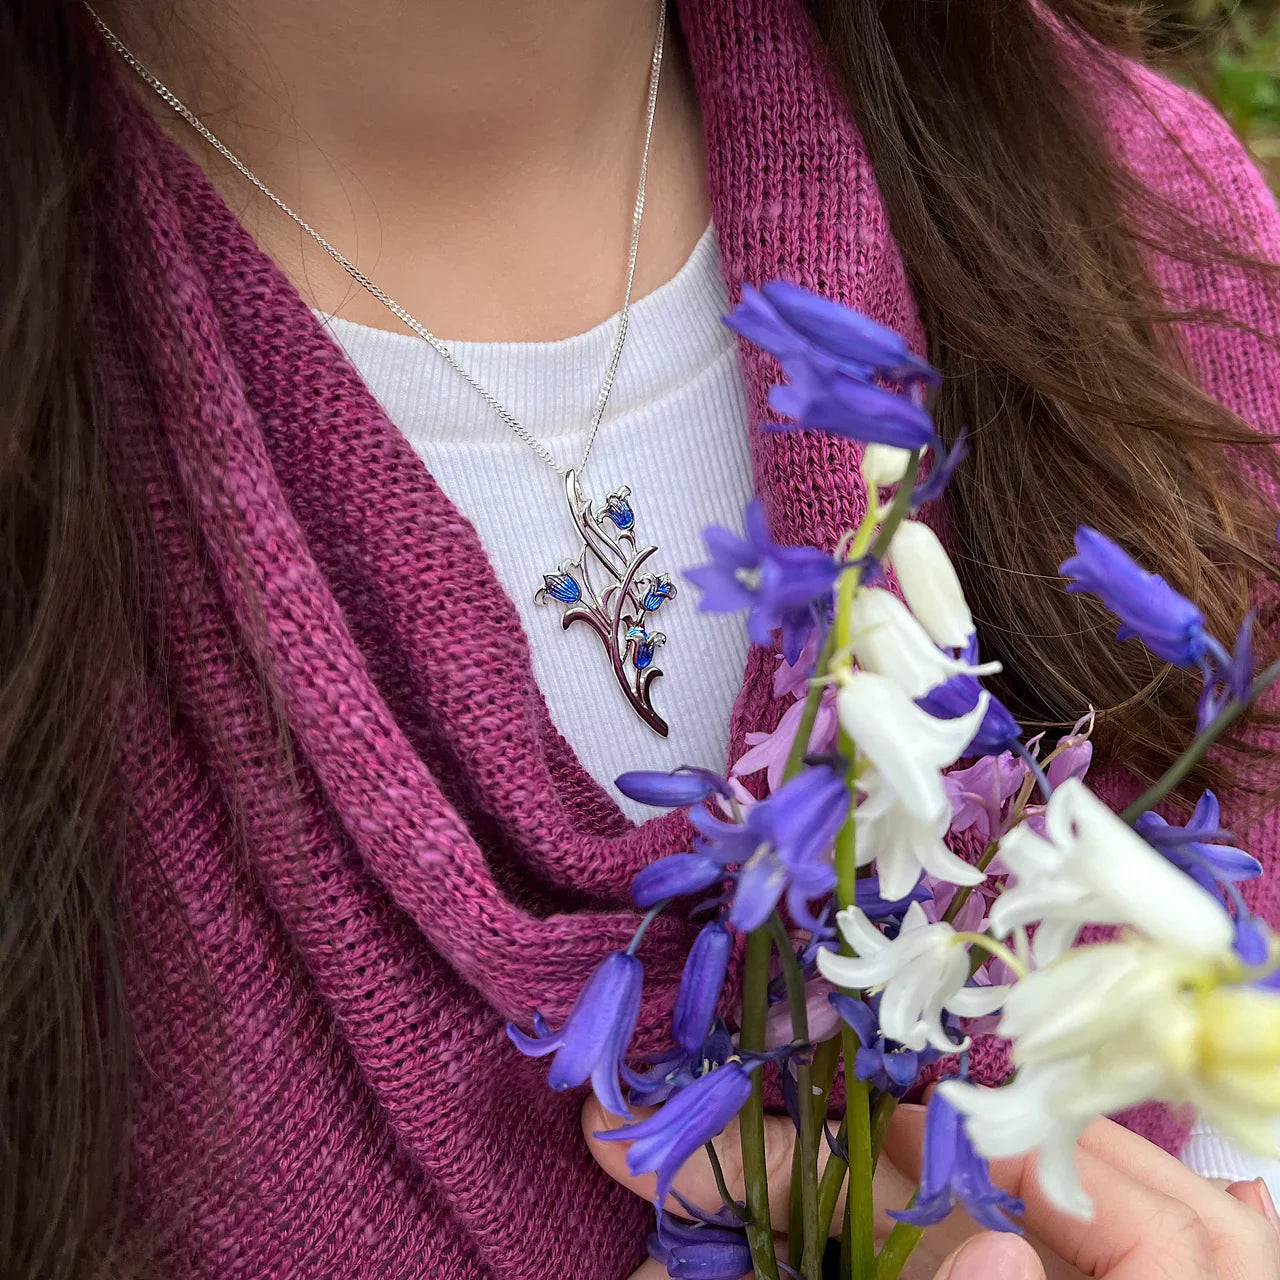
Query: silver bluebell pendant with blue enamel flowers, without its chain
[(619, 610)]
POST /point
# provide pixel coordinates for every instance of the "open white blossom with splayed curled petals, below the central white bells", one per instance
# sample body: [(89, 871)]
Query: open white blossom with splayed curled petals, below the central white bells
[(922, 975)]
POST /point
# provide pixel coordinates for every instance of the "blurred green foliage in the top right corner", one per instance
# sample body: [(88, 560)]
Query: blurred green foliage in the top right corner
[(1231, 52)]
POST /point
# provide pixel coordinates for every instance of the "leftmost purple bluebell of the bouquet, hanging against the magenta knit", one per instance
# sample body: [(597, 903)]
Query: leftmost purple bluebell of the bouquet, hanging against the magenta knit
[(596, 1036)]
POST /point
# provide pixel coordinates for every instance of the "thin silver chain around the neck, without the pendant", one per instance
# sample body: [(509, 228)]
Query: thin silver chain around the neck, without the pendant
[(510, 419)]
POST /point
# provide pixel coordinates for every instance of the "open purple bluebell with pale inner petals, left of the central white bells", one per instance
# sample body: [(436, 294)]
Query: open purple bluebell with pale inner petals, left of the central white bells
[(781, 847)]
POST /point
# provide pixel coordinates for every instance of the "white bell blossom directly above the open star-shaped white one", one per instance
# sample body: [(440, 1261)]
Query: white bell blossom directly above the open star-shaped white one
[(904, 843)]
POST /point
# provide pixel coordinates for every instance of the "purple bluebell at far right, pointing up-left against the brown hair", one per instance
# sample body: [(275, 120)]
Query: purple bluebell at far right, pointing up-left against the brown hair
[(1167, 623)]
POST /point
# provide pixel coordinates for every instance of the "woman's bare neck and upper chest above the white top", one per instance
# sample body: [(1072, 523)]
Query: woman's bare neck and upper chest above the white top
[(477, 158)]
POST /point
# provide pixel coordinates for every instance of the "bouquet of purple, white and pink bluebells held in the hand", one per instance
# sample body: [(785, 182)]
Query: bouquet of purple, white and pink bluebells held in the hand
[(868, 939)]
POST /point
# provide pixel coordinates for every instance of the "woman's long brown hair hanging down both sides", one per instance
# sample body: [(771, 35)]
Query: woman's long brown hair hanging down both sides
[(1021, 235)]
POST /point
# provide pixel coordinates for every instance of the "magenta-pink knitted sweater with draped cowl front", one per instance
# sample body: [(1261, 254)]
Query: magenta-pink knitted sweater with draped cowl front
[(321, 984)]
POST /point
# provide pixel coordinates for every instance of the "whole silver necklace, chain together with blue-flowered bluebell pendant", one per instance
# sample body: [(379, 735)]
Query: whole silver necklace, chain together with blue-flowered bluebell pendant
[(618, 606)]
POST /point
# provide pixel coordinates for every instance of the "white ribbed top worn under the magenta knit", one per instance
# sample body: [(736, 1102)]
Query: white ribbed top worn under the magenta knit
[(676, 433)]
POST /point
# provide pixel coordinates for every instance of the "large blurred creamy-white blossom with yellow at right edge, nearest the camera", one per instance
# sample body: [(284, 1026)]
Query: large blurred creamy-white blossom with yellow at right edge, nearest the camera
[(1109, 1026)]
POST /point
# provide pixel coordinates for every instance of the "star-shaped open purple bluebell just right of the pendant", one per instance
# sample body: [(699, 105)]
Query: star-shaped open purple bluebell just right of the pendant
[(780, 586)]
